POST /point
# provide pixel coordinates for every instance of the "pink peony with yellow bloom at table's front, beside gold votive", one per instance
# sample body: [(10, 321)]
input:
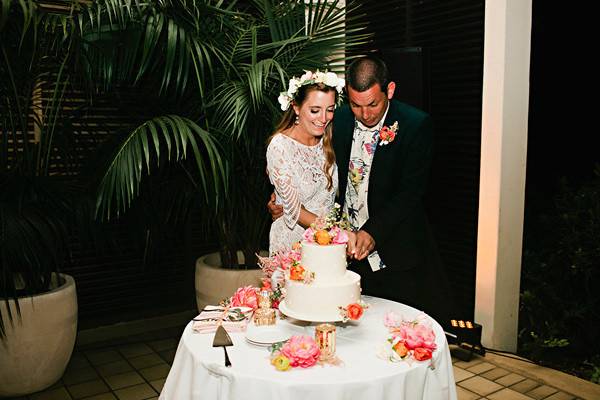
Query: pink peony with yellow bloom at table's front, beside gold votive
[(298, 351)]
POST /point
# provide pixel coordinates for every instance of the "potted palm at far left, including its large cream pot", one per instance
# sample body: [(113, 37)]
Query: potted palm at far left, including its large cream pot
[(44, 55)]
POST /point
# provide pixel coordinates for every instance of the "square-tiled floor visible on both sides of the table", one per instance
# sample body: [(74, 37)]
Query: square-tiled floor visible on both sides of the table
[(135, 368)]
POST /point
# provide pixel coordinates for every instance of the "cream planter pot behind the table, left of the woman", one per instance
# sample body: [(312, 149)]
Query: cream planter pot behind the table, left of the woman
[(214, 283)]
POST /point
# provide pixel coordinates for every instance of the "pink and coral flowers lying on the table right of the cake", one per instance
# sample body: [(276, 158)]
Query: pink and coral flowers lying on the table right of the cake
[(410, 339)]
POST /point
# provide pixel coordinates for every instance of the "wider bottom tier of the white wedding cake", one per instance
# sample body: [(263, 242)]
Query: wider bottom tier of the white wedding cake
[(319, 302)]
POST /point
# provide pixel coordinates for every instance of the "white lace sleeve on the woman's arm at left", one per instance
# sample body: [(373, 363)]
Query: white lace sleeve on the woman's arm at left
[(279, 168)]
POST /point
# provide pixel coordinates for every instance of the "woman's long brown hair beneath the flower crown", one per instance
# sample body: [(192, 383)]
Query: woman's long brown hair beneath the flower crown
[(289, 117)]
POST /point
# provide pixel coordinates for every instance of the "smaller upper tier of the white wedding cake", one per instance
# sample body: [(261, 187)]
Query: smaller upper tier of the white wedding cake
[(327, 262)]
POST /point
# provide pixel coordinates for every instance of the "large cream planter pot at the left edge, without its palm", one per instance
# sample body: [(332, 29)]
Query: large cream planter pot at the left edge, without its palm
[(38, 346)]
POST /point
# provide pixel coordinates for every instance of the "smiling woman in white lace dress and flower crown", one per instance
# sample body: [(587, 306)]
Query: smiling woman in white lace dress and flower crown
[(300, 159)]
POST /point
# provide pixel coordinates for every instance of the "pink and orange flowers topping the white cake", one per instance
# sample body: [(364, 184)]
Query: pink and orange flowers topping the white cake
[(330, 229)]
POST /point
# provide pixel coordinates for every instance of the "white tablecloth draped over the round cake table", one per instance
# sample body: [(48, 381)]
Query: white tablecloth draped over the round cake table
[(198, 370)]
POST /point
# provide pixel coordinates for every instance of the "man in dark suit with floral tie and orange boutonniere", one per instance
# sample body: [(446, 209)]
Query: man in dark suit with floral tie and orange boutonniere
[(383, 151)]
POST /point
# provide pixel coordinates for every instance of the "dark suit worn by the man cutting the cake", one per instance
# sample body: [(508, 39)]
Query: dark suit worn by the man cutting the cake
[(397, 219)]
